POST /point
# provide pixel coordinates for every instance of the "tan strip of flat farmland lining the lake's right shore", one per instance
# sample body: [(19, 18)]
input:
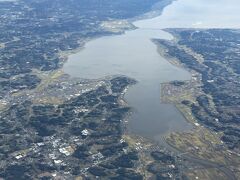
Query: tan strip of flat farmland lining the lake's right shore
[(193, 142)]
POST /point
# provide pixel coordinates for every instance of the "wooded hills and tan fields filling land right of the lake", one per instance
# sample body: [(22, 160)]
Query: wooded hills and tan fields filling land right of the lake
[(210, 100)]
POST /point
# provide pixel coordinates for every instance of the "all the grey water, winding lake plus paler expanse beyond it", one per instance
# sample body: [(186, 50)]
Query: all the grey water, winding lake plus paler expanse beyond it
[(134, 54)]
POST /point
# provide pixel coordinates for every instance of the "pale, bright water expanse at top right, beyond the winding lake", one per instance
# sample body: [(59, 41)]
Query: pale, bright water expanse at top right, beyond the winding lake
[(199, 14)]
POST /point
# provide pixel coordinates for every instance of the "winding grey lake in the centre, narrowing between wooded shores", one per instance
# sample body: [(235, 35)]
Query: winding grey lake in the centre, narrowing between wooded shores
[(134, 55)]
